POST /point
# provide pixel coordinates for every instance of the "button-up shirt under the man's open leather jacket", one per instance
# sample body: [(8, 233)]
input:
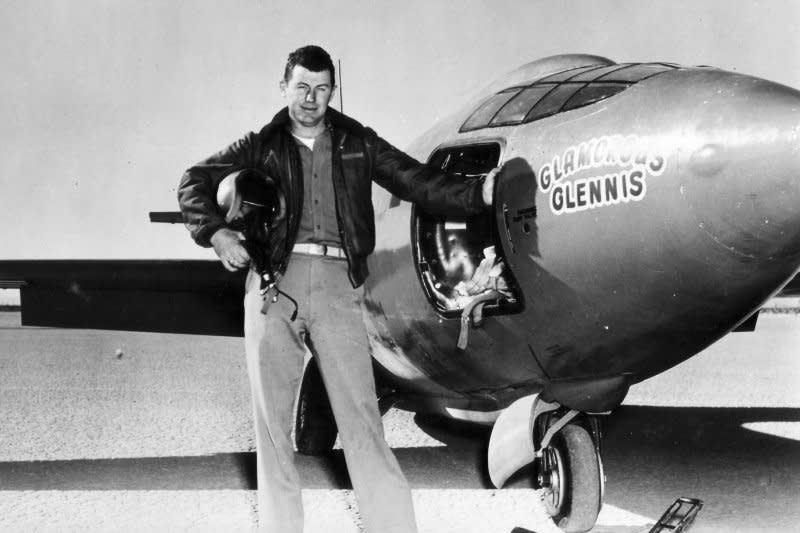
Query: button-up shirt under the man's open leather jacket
[(318, 222)]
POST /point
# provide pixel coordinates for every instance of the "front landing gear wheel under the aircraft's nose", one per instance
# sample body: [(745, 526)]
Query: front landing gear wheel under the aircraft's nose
[(569, 473)]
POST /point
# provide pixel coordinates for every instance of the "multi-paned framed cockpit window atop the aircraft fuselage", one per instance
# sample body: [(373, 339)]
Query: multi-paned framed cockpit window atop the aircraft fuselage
[(559, 92)]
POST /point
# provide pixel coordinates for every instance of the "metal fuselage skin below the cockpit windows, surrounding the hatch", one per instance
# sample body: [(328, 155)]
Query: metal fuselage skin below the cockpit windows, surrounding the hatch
[(613, 294)]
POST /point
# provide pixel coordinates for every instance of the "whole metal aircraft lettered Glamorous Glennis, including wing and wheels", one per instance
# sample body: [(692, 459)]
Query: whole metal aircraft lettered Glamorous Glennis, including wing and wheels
[(644, 211)]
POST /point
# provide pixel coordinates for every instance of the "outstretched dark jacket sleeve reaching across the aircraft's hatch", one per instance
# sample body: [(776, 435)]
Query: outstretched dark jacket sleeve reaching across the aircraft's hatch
[(433, 190)]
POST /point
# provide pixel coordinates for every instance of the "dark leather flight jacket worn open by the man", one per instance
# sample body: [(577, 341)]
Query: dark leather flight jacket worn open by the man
[(360, 157)]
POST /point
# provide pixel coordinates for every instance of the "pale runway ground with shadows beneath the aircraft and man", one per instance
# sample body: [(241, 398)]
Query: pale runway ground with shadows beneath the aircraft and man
[(113, 431)]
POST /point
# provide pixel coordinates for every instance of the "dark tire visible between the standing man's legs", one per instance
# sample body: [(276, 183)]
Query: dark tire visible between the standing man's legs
[(315, 428)]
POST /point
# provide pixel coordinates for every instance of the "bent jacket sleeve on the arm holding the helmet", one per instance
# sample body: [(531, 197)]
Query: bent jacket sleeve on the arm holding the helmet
[(198, 188)]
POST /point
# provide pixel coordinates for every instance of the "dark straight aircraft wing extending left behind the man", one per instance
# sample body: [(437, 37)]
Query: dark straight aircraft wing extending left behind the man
[(170, 296)]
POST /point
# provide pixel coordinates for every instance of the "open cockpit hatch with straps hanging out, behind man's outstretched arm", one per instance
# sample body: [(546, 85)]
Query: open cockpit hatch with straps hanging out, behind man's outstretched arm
[(449, 251)]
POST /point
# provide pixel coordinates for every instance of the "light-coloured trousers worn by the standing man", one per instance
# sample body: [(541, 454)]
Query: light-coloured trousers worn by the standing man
[(330, 323)]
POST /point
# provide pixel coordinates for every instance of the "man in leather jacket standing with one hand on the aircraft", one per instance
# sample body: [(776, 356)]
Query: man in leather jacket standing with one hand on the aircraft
[(324, 163)]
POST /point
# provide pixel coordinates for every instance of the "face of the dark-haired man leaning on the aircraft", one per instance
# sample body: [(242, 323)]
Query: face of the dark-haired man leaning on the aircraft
[(308, 94)]
